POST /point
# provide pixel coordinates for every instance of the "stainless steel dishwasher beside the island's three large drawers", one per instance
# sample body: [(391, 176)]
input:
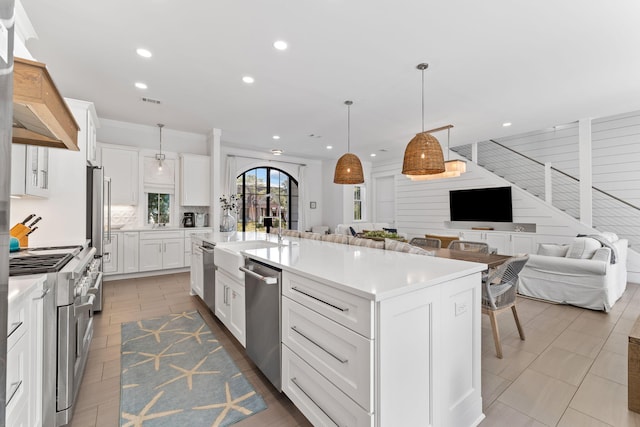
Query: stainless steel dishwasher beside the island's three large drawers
[(262, 284)]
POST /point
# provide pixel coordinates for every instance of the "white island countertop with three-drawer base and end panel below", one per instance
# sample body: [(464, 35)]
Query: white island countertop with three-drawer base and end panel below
[(374, 337)]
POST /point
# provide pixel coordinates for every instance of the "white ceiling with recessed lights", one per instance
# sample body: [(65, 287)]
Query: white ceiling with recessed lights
[(534, 64)]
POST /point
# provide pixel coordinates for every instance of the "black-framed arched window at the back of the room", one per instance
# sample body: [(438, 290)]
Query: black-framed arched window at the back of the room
[(254, 207)]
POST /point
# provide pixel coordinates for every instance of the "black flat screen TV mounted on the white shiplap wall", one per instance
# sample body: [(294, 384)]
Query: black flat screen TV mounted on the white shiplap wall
[(481, 204)]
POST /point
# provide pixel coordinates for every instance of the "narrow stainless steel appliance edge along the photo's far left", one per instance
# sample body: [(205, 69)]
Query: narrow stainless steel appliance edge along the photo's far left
[(6, 114)]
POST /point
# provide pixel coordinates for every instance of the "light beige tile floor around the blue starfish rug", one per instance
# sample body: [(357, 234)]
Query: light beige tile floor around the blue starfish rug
[(570, 371)]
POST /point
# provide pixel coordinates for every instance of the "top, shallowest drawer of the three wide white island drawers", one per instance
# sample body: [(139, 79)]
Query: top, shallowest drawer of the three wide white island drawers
[(350, 310)]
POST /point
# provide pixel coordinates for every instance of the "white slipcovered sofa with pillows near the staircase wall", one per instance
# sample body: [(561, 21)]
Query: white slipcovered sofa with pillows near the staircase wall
[(591, 272)]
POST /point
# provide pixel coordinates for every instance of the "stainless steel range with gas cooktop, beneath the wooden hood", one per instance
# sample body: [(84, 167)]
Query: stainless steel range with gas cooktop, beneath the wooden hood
[(73, 281)]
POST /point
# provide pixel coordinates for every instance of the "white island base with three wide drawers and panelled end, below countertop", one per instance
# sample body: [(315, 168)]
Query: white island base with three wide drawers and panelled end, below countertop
[(413, 359)]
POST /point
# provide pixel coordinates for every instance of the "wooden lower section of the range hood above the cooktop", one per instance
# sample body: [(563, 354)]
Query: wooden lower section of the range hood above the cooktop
[(40, 114)]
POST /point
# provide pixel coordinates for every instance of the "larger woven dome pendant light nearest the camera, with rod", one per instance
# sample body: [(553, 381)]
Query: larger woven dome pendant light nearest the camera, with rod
[(423, 155)]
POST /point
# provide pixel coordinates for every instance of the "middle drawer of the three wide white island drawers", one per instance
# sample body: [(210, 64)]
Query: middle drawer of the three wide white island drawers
[(344, 357)]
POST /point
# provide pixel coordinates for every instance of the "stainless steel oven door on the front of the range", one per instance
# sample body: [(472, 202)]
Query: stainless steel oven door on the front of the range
[(75, 330)]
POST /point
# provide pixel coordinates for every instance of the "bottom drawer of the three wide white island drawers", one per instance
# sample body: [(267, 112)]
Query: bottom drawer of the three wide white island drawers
[(319, 400)]
